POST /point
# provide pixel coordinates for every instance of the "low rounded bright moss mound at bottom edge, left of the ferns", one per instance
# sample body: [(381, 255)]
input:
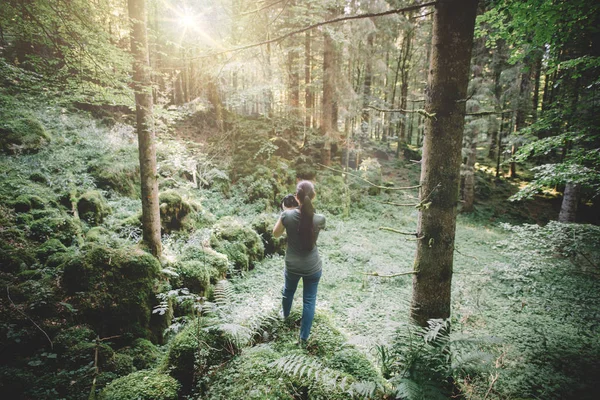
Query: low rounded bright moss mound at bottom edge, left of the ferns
[(142, 385)]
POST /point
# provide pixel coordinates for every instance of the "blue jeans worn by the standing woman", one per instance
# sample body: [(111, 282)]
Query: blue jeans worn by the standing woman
[(309, 298)]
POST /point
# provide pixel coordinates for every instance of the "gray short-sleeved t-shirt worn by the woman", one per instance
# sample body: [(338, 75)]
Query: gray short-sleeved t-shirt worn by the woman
[(298, 261)]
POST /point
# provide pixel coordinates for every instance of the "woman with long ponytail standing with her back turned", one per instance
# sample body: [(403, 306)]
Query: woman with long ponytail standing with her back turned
[(302, 259)]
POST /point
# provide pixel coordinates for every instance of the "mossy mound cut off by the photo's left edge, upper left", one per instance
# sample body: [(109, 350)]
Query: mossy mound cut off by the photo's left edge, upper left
[(22, 135)]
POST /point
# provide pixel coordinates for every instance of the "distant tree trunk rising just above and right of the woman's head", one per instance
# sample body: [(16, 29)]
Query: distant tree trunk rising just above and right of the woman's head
[(328, 94)]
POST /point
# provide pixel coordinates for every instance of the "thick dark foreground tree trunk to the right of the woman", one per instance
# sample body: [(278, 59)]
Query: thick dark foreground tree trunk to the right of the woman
[(454, 23)]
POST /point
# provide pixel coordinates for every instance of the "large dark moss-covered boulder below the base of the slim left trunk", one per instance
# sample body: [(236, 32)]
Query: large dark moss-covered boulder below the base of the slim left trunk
[(112, 289)]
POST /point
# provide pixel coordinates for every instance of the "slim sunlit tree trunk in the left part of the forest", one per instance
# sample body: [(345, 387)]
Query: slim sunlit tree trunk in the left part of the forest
[(145, 126)]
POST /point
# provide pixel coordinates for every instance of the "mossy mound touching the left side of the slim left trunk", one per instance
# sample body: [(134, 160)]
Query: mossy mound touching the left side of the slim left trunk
[(118, 171)]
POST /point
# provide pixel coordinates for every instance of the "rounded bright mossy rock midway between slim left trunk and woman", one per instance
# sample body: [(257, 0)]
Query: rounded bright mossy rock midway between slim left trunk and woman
[(242, 245)]
